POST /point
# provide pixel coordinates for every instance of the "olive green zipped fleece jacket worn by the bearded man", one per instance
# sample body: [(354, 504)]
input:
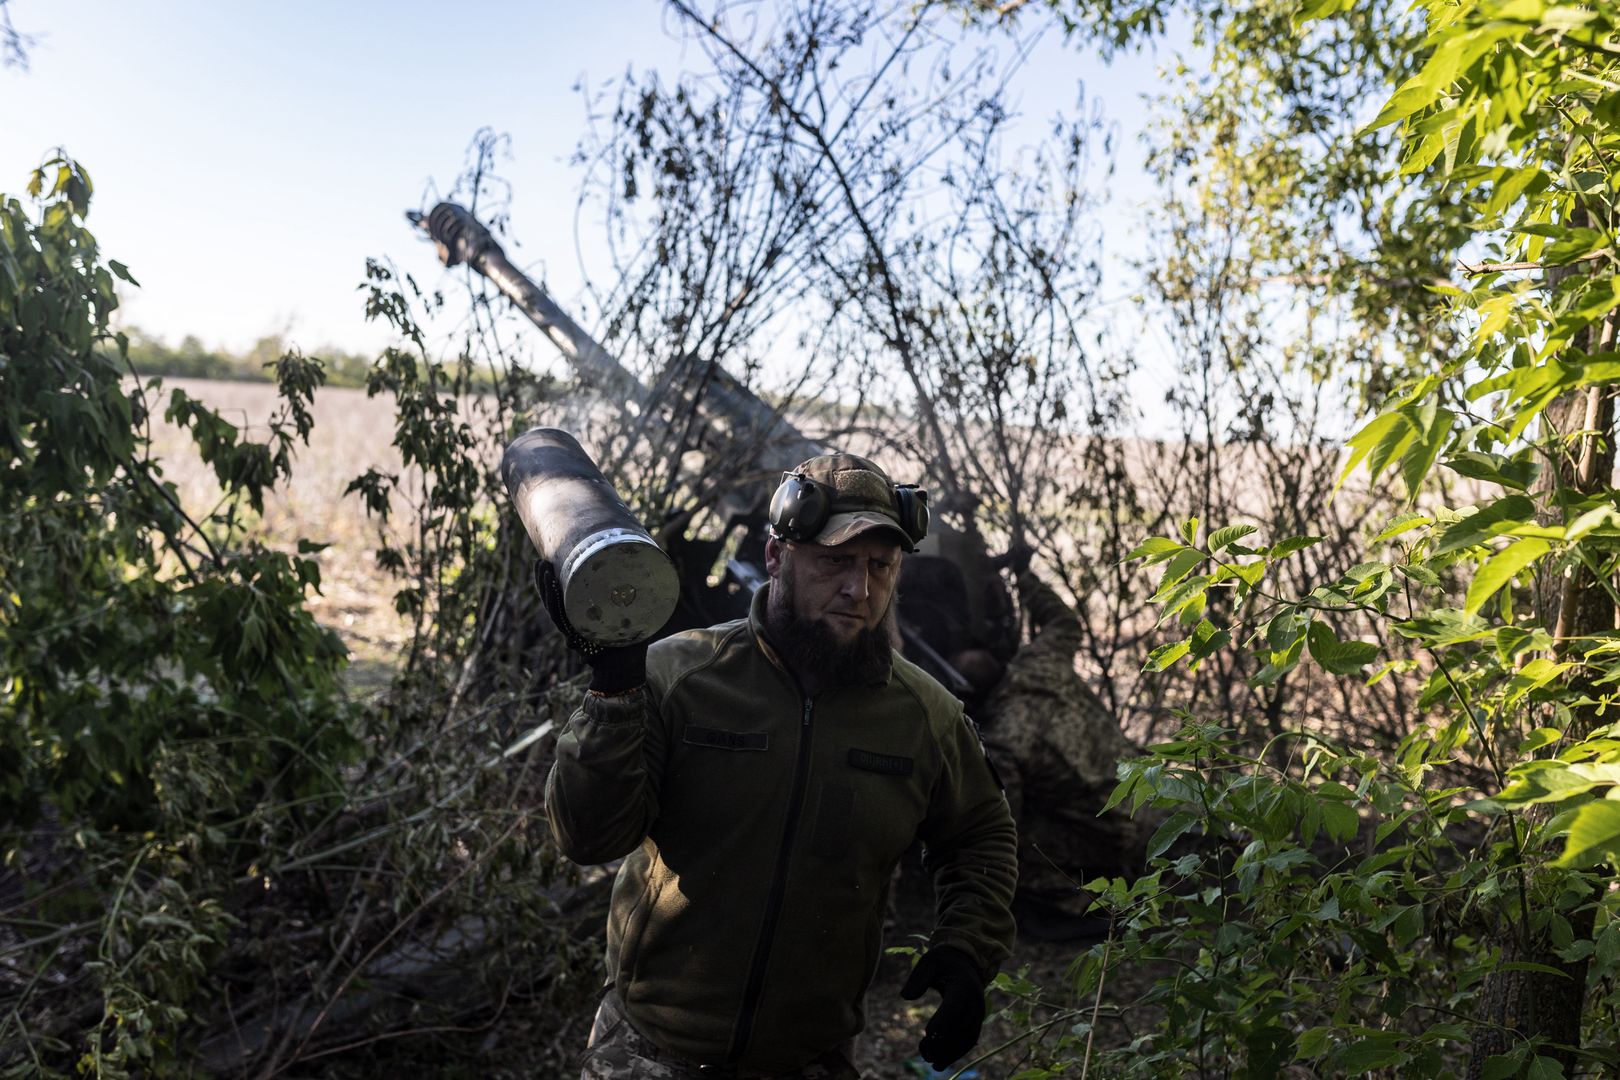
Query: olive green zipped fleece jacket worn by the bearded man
[(761, 831)]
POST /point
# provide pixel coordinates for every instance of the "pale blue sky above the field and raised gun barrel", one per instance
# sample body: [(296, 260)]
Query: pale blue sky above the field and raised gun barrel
[(250, 156)]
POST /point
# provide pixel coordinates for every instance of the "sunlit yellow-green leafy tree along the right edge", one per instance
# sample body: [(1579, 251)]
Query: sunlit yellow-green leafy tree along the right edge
[(1504, 114)]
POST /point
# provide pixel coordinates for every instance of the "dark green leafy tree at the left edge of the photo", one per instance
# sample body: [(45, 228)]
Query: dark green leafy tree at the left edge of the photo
[(130, 637)]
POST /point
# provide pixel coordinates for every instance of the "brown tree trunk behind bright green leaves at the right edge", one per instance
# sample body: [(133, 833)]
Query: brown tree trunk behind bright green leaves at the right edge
[(1522, 1005)]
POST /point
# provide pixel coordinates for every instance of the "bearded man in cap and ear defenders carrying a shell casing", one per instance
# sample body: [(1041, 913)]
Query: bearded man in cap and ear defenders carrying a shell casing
[(762, 780)]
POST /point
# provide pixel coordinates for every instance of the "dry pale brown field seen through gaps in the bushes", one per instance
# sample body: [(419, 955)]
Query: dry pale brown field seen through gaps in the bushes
[(354, 433)]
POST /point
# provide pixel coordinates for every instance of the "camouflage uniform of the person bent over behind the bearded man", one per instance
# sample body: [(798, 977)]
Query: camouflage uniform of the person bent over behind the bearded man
[(1055, 747)]
